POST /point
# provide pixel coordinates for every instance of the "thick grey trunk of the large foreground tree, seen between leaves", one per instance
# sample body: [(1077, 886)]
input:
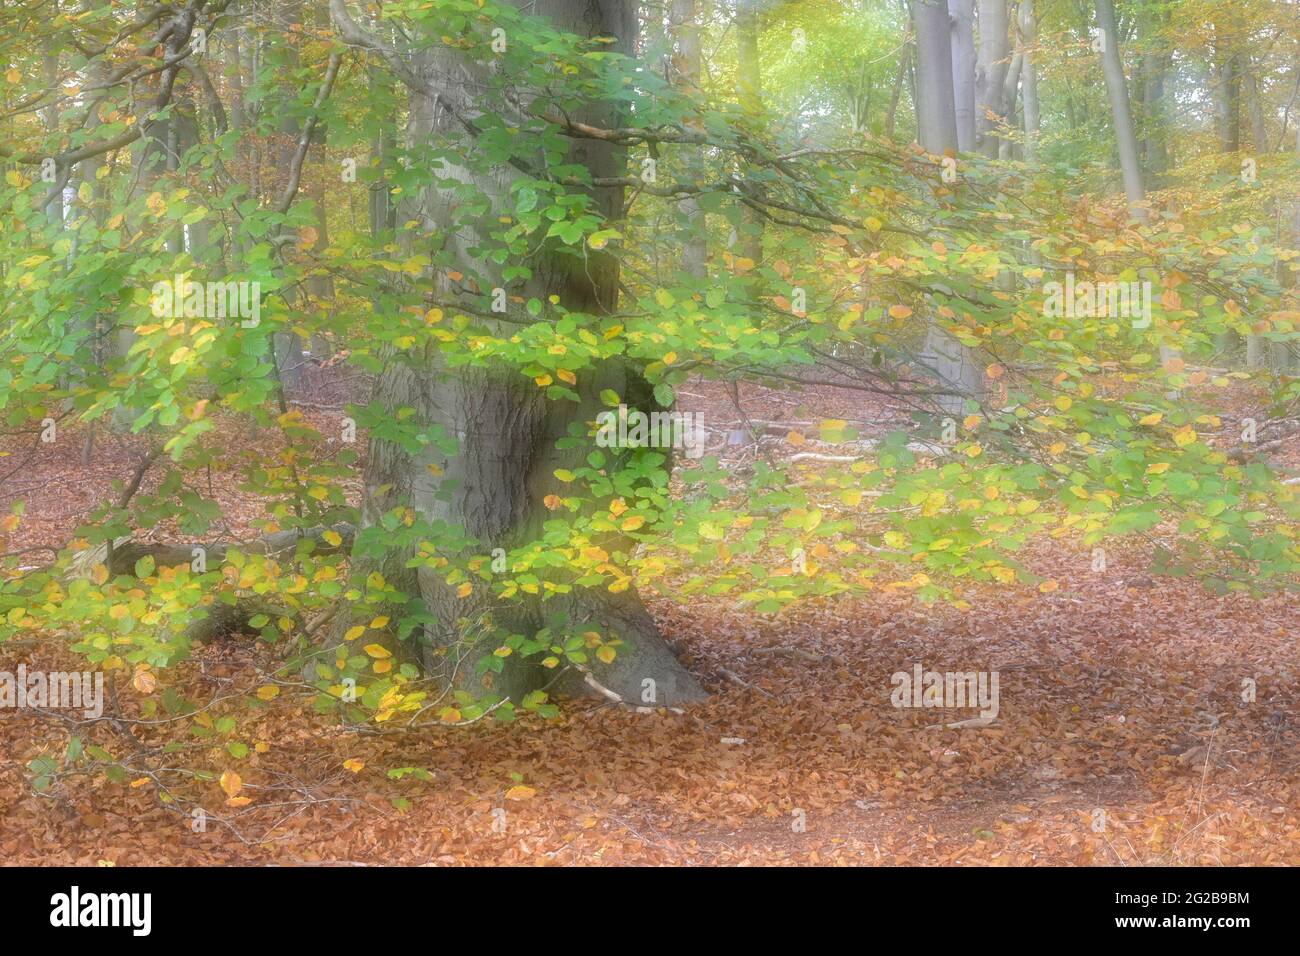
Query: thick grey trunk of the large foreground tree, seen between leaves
[(495, 488)]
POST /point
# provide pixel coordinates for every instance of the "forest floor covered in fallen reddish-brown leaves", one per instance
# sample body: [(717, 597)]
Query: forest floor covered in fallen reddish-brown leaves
[(1123, 736)]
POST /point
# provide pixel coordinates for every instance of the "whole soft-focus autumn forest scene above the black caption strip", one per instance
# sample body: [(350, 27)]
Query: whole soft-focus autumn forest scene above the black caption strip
[(365, 586)]
